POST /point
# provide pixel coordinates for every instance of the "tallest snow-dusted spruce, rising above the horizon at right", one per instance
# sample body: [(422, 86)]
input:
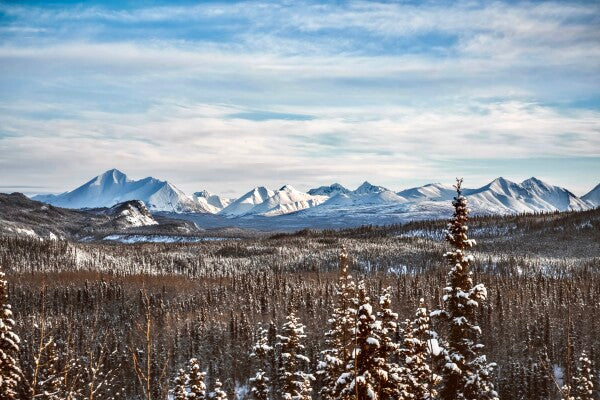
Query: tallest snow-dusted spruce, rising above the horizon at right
[(466, 374)]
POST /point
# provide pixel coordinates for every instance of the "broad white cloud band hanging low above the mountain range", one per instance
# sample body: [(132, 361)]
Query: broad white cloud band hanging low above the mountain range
[(197, 147)]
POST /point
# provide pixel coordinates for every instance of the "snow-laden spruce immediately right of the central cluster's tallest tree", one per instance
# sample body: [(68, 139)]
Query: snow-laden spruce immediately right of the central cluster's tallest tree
[(359, 381)]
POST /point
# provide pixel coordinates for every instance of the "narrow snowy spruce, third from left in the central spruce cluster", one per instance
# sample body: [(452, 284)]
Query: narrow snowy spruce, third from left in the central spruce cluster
[(388, 377)]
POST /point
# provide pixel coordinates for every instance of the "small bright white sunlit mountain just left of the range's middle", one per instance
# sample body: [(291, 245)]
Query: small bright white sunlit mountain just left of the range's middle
[(286, 200)]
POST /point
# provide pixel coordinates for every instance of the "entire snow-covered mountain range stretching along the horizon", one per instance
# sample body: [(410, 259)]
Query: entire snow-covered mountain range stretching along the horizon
[(501, 196)]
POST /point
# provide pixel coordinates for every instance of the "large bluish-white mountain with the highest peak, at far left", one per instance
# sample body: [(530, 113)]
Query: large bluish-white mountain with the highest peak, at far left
[(114, 187)]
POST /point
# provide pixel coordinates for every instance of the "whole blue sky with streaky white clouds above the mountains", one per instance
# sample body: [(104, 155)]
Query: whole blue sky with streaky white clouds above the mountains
[(225, 96)]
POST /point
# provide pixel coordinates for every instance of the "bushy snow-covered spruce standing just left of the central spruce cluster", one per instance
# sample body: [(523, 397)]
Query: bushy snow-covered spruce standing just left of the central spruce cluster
[(294, 382)]
